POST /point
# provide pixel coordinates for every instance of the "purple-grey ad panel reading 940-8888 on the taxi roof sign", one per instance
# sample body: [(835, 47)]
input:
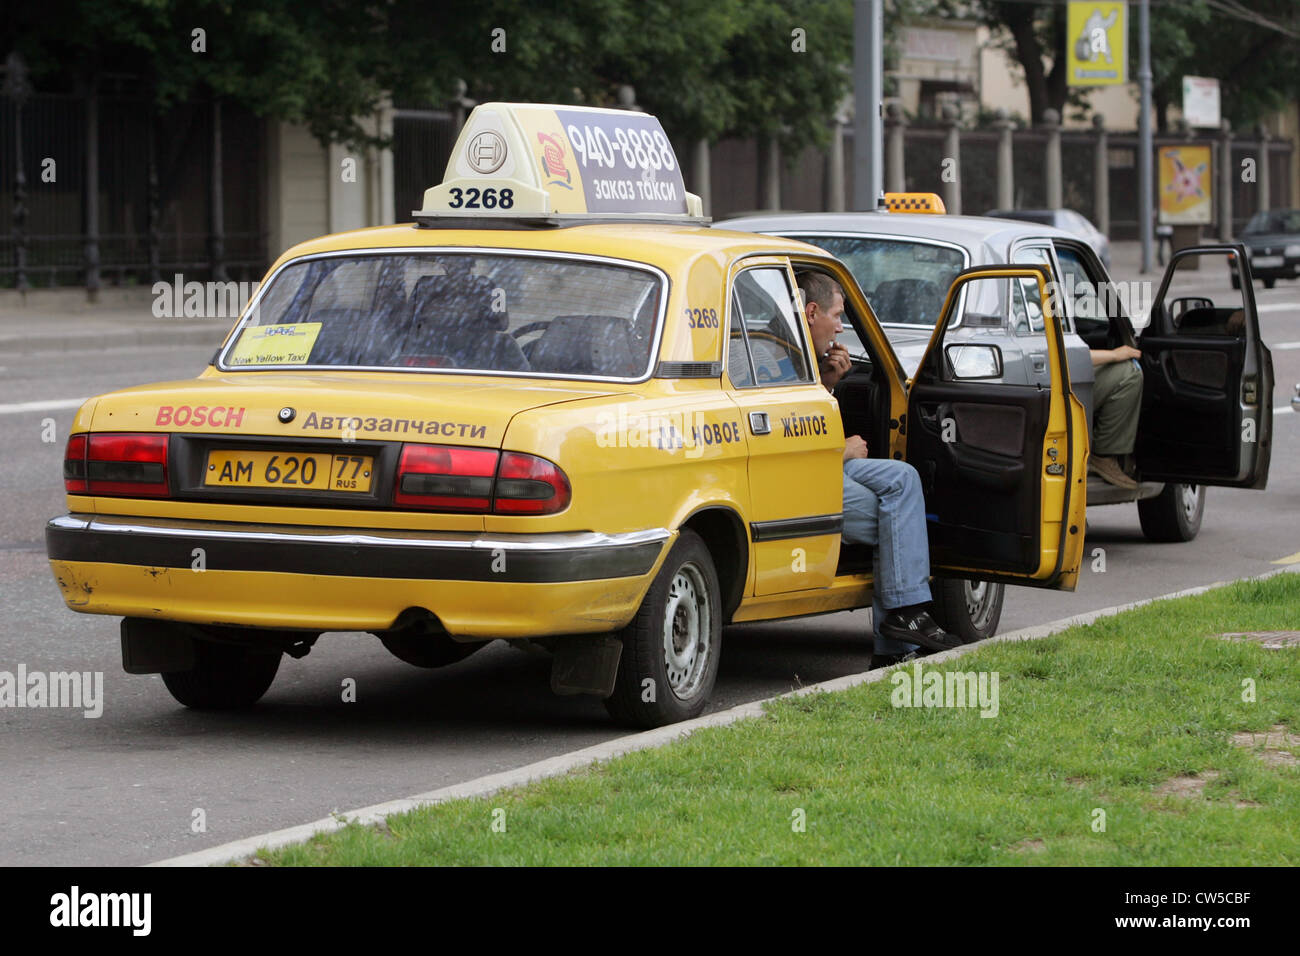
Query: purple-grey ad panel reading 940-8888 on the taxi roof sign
[(626, 162)]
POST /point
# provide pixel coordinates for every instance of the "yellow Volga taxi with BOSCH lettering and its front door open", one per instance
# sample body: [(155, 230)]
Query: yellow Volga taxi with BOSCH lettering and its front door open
[(557, 408)]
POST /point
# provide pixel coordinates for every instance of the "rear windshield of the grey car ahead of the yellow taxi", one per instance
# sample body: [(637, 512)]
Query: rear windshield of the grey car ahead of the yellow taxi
[(905, 282)]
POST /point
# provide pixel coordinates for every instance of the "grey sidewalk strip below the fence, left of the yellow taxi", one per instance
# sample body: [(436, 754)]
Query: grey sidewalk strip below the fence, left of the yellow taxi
[(63, 321)]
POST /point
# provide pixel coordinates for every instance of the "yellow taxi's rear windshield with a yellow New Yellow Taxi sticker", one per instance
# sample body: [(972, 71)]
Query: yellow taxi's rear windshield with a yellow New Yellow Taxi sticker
[(454, 312)]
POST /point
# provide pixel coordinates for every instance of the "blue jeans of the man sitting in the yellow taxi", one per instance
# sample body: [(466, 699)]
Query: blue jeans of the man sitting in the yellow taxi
[(883, 508)]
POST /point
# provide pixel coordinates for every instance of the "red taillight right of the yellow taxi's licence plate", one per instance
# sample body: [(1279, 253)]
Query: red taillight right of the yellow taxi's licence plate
[(439, 478)]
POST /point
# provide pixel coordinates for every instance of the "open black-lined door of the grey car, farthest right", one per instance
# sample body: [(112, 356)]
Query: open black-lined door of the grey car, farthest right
[(1207, 414)]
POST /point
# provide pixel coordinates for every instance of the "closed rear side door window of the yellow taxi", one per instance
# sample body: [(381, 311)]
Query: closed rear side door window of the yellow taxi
[(774, 334)]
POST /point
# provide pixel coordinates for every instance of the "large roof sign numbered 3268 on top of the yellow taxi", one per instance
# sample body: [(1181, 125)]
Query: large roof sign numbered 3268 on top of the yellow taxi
[(554, 165)]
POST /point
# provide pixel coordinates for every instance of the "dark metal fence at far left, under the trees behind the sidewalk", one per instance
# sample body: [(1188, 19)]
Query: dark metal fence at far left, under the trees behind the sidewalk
[(151, 214)]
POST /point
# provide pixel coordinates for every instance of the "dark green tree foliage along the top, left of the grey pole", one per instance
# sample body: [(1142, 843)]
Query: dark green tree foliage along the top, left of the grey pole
[(708, 68)]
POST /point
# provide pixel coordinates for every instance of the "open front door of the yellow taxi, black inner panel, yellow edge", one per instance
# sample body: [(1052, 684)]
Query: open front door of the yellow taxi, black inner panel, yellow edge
[(1003, 466)]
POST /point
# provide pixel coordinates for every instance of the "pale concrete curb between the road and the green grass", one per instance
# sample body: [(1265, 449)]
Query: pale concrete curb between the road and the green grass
[(564, 764)]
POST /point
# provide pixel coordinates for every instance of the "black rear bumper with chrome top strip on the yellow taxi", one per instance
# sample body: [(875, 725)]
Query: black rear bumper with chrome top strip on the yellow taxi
[(379, 556)]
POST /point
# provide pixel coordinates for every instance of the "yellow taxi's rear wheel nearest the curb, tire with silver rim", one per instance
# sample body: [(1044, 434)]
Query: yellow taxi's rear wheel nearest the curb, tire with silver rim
[(674, 642)]
